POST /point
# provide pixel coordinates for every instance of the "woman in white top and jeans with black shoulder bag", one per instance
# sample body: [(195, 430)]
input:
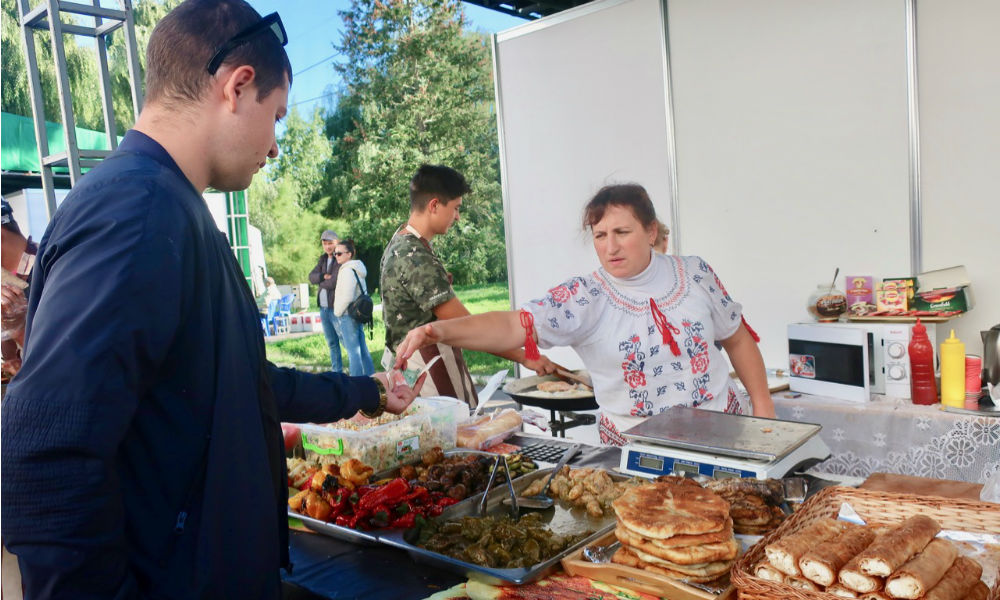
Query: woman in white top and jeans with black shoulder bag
[(352, 307)]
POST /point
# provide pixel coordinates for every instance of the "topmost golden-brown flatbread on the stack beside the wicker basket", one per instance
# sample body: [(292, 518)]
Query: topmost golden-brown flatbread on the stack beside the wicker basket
[(662, 510)]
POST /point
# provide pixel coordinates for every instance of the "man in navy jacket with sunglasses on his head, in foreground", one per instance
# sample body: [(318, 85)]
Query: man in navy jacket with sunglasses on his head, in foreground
[(141, 442)]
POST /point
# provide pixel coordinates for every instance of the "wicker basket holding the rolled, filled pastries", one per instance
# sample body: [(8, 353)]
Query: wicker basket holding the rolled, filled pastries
[(876, 508)]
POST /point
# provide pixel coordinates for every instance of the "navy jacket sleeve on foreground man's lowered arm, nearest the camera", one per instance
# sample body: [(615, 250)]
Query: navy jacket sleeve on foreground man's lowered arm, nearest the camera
[(102, 314)]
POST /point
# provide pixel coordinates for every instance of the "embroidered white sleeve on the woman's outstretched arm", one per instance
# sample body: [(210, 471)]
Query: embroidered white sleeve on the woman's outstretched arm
[(568, 314)]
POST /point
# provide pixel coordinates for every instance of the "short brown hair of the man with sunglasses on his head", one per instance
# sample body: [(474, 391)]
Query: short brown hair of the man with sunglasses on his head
[(186, 39)]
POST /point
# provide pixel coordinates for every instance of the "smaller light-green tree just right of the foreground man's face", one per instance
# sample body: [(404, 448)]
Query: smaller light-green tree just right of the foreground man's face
[(304, 152)]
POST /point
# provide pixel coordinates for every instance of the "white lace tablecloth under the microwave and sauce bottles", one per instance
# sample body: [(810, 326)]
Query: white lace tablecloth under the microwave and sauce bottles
[(896, 436)]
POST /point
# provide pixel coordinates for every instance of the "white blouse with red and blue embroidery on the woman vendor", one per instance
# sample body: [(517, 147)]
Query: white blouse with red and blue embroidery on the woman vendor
[(650, 341)]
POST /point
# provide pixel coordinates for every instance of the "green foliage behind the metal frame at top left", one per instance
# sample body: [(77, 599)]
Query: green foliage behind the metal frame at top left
[(81, 68)]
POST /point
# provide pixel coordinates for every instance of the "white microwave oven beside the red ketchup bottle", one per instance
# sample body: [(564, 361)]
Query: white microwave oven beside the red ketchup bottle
[(851, 361)]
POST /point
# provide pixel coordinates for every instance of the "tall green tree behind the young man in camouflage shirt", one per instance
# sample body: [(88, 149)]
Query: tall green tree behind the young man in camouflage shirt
[(423, 91)]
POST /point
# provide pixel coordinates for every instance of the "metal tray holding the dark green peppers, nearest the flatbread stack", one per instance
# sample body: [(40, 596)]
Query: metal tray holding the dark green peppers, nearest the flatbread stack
[(562, 519)]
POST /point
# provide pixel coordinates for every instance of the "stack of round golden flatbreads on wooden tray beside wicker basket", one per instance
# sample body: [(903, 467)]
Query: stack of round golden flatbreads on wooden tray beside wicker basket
[(676, 529)]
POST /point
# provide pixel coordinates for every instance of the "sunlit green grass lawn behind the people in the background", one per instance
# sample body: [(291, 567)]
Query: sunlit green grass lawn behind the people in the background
[(312, 351)]
